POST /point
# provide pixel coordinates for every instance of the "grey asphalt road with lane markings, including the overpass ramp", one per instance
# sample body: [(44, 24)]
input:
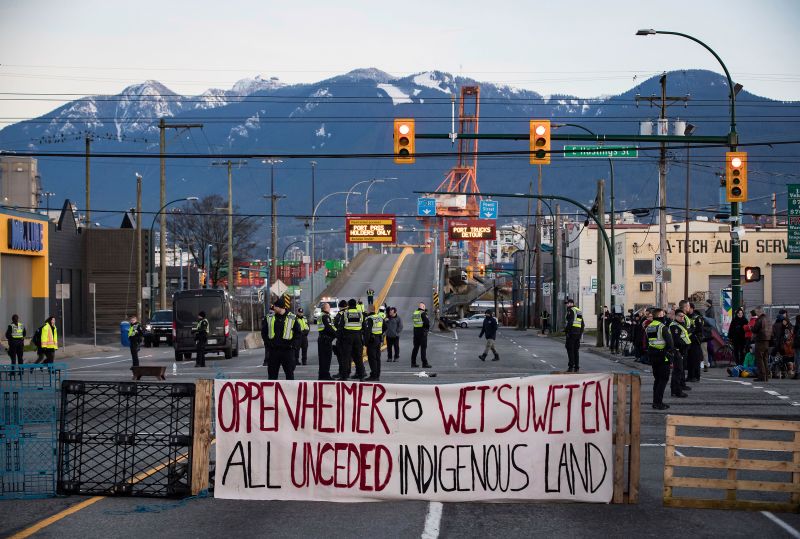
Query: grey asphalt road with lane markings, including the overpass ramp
[(455, 359)]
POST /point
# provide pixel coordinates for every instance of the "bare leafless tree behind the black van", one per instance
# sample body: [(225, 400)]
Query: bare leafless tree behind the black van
[(200, 223)]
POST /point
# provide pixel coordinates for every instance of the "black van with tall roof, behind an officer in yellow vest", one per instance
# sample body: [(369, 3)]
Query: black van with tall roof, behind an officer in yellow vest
[(222, 334)]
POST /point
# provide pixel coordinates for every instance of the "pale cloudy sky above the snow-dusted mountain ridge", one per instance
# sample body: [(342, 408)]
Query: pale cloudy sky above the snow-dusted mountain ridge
[(585, 48)]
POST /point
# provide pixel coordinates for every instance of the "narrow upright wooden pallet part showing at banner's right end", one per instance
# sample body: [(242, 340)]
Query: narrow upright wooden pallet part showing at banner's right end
[(627, 438)]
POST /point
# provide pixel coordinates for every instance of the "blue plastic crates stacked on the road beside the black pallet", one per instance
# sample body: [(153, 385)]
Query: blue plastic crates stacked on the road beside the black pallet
[(29, 400)]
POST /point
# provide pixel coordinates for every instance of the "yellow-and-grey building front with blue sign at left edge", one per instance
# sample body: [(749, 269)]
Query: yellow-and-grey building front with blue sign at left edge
[(24, 266)]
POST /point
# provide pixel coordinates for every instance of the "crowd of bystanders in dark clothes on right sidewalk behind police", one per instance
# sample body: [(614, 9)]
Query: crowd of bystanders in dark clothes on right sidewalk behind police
[(761, 348)]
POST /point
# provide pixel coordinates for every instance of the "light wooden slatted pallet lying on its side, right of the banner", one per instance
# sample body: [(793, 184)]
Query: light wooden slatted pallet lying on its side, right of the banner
[(732, 486)]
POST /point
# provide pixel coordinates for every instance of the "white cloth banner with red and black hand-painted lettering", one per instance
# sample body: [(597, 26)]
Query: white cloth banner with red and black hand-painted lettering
[(533, 438)]
